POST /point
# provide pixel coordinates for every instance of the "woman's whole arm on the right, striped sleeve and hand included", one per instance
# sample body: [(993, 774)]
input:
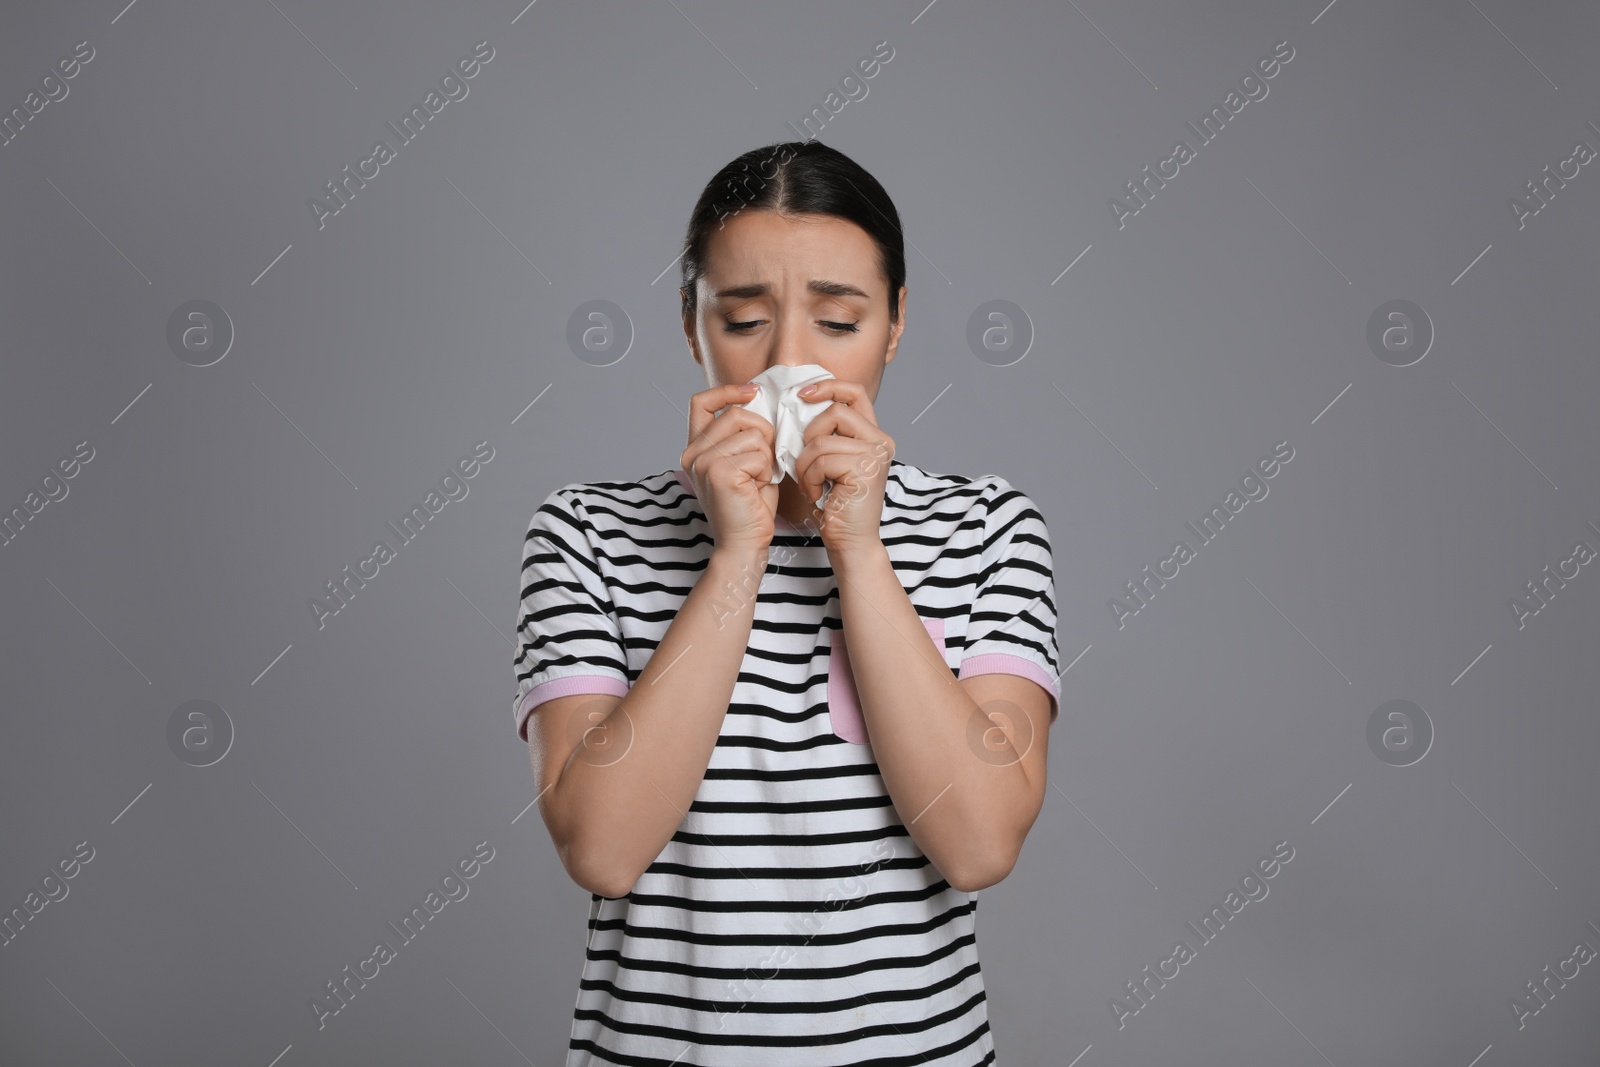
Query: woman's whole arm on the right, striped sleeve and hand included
[(964, 761)]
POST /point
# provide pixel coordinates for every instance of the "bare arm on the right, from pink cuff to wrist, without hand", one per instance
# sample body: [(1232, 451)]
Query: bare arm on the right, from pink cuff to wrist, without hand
[(967, 796)]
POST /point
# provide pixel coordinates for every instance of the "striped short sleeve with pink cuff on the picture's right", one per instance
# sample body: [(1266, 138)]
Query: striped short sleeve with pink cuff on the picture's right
[(1012, 626)]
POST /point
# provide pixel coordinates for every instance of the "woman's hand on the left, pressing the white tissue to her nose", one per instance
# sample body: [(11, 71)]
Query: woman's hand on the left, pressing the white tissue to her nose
[(730, 460)]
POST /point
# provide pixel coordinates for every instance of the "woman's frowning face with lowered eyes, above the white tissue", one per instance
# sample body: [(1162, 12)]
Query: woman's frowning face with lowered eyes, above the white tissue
[(793, 290)]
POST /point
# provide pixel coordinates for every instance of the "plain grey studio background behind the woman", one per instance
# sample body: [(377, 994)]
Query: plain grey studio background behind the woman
[(1228, 316)]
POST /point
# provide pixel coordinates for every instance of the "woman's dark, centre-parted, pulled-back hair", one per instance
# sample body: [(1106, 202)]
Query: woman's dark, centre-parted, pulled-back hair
[(796, 178)]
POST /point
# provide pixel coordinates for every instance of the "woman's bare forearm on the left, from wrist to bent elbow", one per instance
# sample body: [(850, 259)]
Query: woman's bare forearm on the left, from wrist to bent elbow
[(620, 813)]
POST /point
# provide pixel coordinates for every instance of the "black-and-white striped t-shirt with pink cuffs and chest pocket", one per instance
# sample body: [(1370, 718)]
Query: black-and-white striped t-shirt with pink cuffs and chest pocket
[(791, 919)]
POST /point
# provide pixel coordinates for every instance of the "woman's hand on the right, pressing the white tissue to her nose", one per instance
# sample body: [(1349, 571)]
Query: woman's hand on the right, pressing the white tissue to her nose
[(844, 446)]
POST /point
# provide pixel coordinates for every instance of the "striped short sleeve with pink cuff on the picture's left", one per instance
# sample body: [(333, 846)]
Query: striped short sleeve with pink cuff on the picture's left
[(569, 637)]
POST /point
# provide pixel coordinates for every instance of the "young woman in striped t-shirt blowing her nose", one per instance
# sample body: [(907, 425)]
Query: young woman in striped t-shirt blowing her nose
[(786, 746)]
